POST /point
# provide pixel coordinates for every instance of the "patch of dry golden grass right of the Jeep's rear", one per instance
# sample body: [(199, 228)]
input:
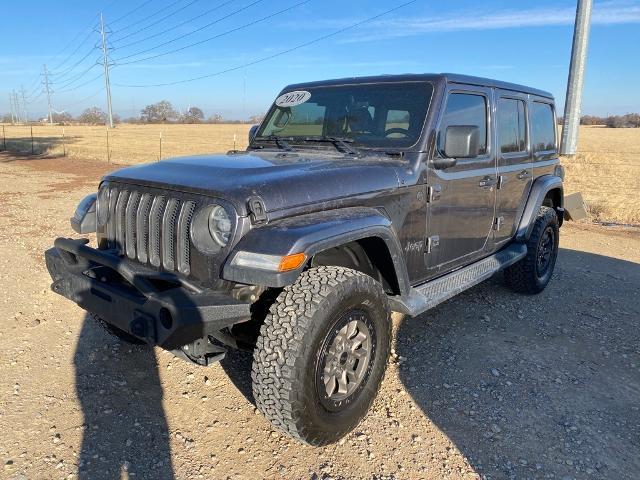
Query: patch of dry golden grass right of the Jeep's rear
[(607, 172)]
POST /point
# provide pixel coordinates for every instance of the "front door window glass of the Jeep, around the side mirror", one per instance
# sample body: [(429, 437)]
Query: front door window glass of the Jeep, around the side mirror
[(465, 109)]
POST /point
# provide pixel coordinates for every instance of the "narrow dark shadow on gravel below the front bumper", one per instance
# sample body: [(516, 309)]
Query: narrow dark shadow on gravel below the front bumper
[(124, 428)]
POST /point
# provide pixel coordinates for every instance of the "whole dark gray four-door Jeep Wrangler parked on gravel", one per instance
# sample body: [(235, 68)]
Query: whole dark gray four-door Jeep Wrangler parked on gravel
[(355, 198)]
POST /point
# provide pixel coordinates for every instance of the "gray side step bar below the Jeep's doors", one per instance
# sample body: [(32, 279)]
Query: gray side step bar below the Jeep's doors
[(427, 295)]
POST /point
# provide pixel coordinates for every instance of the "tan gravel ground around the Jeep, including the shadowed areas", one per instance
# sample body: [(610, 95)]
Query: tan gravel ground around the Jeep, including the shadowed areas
[(488, 385)]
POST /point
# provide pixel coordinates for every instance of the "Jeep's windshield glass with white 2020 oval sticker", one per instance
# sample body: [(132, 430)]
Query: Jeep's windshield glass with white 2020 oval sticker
[(382, 115)]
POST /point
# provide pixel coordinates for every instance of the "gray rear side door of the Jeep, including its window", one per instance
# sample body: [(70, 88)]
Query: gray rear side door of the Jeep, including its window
[(515, 162)]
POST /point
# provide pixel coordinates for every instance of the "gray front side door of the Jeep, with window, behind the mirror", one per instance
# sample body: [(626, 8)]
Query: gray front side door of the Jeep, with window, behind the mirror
[(462, 197)]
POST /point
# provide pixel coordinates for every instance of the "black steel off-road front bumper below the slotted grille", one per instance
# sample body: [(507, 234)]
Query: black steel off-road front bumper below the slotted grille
[(159, 308)]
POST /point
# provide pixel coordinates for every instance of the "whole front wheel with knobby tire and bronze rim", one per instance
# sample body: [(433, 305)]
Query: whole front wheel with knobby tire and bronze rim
[(321, 354)]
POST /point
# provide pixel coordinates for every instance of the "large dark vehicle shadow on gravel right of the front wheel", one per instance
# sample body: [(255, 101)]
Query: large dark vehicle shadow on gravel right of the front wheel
[(544, 386)]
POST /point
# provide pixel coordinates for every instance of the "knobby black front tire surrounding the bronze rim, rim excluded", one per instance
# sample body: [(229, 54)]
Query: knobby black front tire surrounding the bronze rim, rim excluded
[(289, 349)]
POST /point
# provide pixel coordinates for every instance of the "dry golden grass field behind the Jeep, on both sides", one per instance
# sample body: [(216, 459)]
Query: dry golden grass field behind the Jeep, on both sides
[(606, 171)]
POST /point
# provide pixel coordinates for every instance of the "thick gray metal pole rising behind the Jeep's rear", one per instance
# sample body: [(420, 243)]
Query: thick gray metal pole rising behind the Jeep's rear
[(575, 84)]
